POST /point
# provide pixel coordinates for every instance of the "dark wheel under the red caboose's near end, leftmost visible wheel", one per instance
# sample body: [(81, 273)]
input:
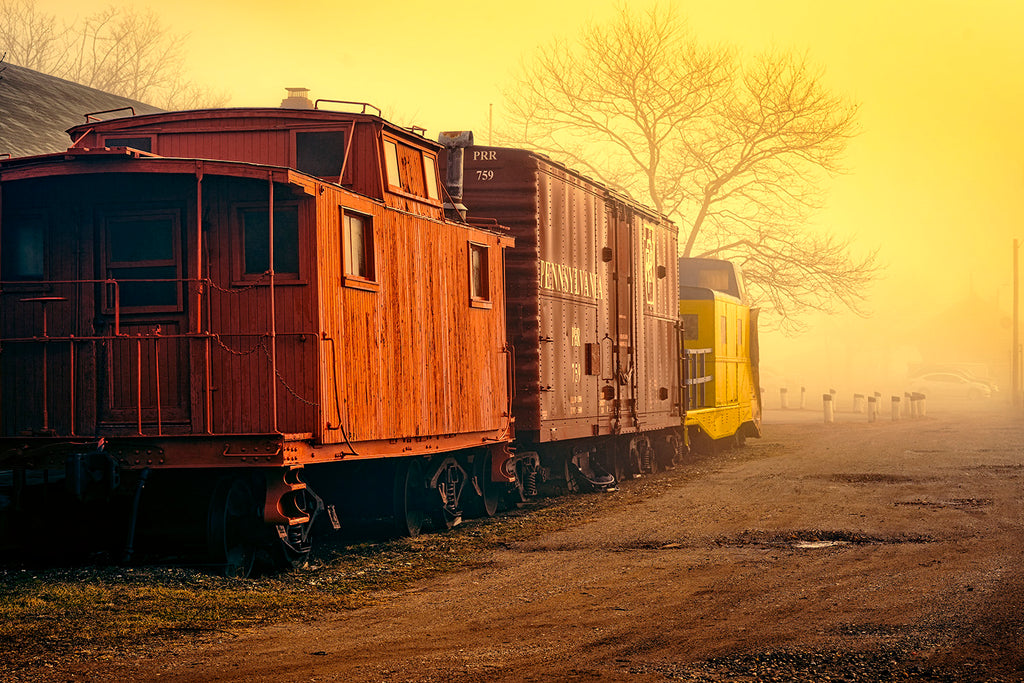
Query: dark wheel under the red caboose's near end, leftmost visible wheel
[(233, 528)]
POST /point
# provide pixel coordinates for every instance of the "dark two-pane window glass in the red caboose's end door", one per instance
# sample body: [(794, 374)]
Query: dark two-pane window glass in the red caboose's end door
[(142, 255)]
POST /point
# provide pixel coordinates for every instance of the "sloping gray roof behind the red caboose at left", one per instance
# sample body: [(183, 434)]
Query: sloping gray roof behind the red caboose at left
[(37, 110)]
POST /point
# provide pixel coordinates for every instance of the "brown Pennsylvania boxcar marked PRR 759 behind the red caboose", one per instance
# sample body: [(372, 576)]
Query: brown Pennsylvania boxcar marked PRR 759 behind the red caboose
[(592, 316)]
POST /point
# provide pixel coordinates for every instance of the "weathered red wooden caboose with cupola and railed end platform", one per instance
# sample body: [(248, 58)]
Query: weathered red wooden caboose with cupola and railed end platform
[(215, 318)]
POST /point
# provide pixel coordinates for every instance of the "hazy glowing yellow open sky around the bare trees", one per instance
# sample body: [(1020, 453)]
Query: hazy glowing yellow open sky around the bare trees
[(936, 179)]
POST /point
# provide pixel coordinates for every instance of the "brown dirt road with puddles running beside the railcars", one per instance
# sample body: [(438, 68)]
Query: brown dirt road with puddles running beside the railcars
[(855, 551)]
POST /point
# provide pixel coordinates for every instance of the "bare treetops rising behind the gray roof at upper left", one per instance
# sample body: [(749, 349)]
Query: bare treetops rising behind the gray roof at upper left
[(122, 51)]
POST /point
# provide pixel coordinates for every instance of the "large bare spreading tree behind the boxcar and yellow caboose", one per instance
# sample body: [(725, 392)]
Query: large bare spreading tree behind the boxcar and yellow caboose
[(737, 152)]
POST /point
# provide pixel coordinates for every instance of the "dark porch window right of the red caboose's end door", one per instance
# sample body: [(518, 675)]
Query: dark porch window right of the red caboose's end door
[(257, 239)]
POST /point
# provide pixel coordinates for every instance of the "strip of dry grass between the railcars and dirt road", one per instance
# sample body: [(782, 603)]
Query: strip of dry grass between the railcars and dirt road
[(102, 612)]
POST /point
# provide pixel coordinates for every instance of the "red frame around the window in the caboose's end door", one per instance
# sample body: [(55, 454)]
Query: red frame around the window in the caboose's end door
[(107, 264)]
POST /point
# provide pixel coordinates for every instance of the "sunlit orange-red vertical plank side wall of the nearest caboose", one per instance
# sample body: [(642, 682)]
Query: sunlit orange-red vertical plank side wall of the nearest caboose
[(410, 358)]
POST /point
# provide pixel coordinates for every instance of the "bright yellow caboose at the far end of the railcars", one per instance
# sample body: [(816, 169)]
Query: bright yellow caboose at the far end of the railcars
[(720, 340)]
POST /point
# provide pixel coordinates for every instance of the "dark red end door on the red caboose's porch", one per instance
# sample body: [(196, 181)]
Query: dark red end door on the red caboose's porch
[(144, 363)]
